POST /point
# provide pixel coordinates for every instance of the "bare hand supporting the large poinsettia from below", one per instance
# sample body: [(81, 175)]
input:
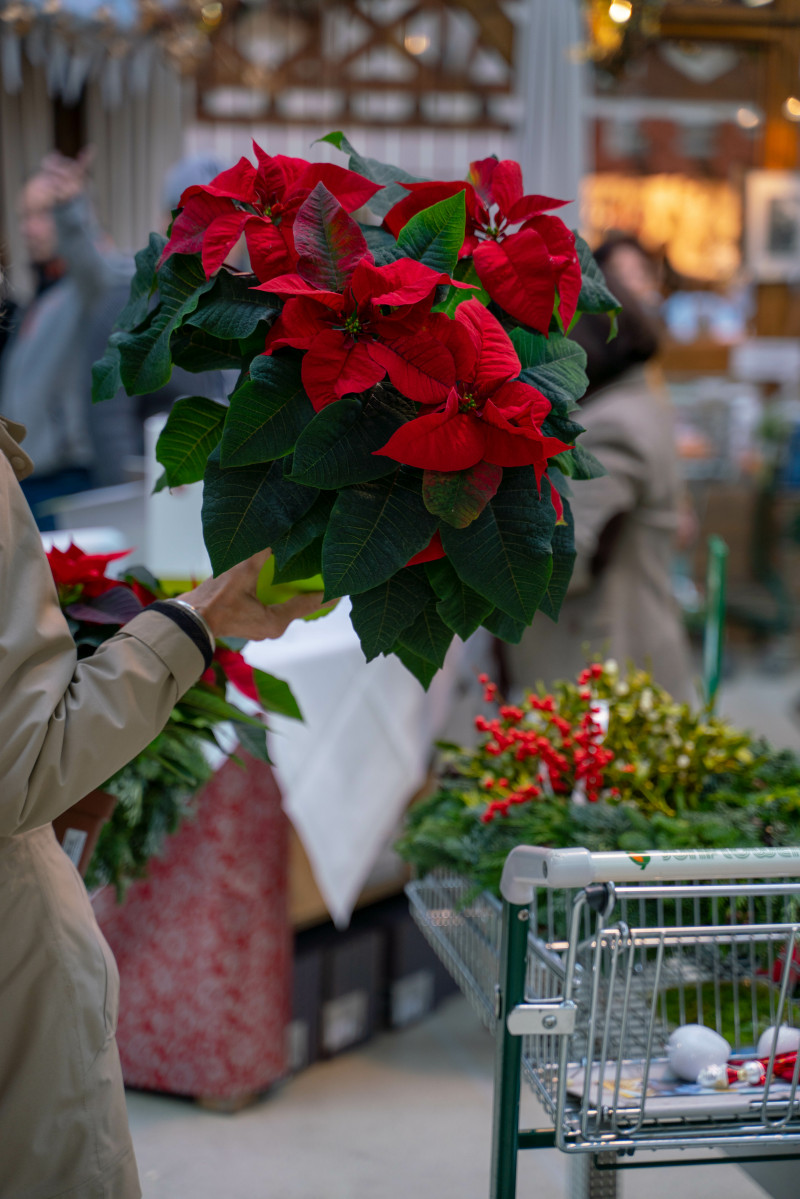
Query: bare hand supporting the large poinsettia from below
[(232, 608)]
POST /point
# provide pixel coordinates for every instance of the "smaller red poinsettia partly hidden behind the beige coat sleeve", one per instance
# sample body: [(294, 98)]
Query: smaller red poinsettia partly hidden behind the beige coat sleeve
[(98, 606)]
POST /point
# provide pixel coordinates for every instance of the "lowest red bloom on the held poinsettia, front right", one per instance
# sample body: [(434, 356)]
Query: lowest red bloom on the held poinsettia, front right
[(489, 414)]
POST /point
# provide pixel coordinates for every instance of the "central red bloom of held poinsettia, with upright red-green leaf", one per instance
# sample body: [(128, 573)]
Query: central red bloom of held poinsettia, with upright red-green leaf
[(375, 324)]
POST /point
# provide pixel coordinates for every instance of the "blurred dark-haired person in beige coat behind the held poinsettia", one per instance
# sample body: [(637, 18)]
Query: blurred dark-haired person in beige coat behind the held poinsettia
[(621, 601)]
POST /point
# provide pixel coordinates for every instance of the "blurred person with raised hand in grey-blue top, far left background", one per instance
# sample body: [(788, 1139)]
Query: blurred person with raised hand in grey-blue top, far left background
[(43, 370)]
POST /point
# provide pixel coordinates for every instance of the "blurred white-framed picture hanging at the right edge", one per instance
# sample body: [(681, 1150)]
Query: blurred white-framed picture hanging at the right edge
[(773, 226)]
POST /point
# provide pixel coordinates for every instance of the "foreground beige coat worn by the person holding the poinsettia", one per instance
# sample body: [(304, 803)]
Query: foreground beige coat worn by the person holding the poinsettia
[(65, 727)]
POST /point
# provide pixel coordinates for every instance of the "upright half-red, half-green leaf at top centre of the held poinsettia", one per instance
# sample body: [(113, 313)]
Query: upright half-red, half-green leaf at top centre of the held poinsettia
[(328, 240)]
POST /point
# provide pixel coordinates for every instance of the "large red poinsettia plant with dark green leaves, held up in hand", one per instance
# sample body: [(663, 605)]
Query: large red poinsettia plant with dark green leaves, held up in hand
[(404, 419)]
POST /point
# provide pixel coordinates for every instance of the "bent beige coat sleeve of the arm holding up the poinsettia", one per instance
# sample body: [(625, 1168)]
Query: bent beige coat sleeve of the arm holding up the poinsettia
[(68, 726)]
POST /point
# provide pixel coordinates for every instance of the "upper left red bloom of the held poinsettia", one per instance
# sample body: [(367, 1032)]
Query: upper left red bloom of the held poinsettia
[(261, 203)]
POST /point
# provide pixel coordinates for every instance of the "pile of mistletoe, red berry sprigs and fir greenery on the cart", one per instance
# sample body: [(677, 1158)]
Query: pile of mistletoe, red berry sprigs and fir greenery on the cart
[(606, 762)]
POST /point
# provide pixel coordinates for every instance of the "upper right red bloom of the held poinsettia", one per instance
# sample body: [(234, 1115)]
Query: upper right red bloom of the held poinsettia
[(522, 256)]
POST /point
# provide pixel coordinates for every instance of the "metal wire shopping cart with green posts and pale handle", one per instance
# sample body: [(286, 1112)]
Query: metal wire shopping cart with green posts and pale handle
[(588, 965)]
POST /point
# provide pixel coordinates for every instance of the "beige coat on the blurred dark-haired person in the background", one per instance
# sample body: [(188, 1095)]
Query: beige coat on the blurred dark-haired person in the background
[(628, 611)]
